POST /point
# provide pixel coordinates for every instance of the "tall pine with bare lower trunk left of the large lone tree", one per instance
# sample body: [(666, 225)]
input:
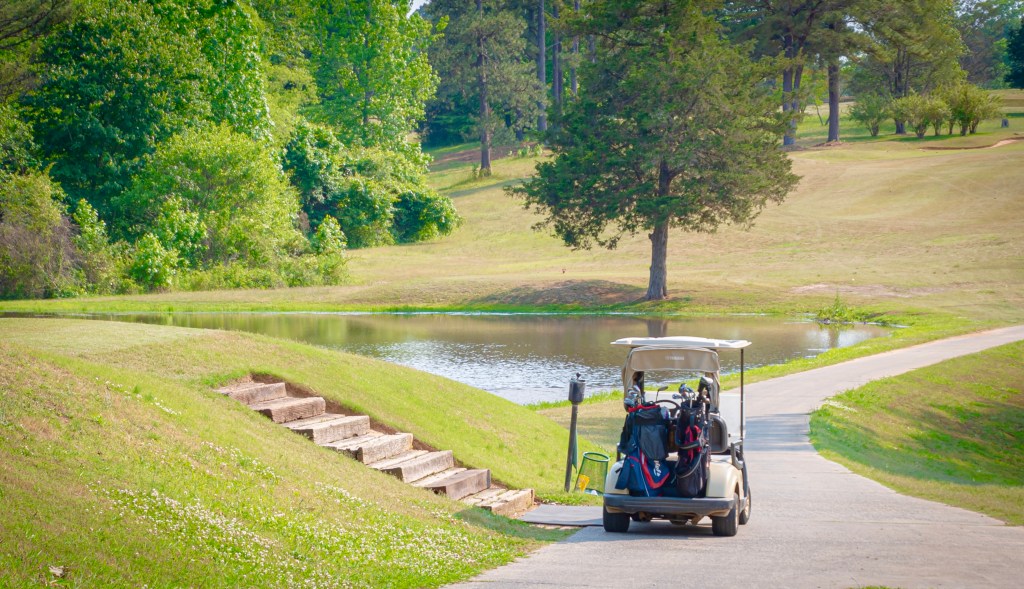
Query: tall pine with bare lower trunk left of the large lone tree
[(483, 60)]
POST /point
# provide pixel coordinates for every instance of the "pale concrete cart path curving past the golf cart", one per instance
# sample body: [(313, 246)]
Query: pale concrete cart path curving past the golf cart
[(814, 524)]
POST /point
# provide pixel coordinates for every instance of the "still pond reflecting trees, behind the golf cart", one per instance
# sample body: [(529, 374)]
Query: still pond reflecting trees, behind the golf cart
[(523, 358)]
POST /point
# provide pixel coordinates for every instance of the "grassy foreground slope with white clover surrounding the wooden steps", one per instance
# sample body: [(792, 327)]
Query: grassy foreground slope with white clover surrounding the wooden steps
[(124, 468)]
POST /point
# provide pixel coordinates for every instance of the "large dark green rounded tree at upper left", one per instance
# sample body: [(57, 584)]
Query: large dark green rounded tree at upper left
[(107, 100)]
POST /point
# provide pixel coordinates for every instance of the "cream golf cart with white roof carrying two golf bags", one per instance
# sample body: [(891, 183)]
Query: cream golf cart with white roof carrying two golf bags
[(680, 456)]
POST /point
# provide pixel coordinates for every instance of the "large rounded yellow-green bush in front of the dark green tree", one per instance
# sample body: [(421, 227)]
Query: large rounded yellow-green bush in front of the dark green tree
[(226, 182)]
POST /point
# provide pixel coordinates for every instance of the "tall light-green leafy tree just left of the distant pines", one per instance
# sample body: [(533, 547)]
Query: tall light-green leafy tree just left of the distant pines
[(374, 73)]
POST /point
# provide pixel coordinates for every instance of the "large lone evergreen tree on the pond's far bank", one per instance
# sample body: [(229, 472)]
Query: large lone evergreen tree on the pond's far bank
[(676, 130)]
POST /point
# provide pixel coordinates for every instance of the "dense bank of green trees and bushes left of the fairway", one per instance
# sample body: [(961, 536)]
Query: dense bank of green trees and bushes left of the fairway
[(149, 145)]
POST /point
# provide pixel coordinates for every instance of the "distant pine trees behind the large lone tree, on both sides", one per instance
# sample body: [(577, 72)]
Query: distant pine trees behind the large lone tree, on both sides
[(884, 49)]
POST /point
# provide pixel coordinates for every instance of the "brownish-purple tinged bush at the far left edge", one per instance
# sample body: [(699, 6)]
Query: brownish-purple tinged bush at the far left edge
[(37, 256)]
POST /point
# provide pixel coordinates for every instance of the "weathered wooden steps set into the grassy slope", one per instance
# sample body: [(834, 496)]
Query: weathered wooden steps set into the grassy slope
[(395, 453)]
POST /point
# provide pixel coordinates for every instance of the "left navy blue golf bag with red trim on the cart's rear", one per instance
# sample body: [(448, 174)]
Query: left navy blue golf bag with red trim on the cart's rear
[(644, 444)]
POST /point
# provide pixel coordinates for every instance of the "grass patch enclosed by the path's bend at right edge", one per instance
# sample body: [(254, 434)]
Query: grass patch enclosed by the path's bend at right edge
[(952, 433)]
